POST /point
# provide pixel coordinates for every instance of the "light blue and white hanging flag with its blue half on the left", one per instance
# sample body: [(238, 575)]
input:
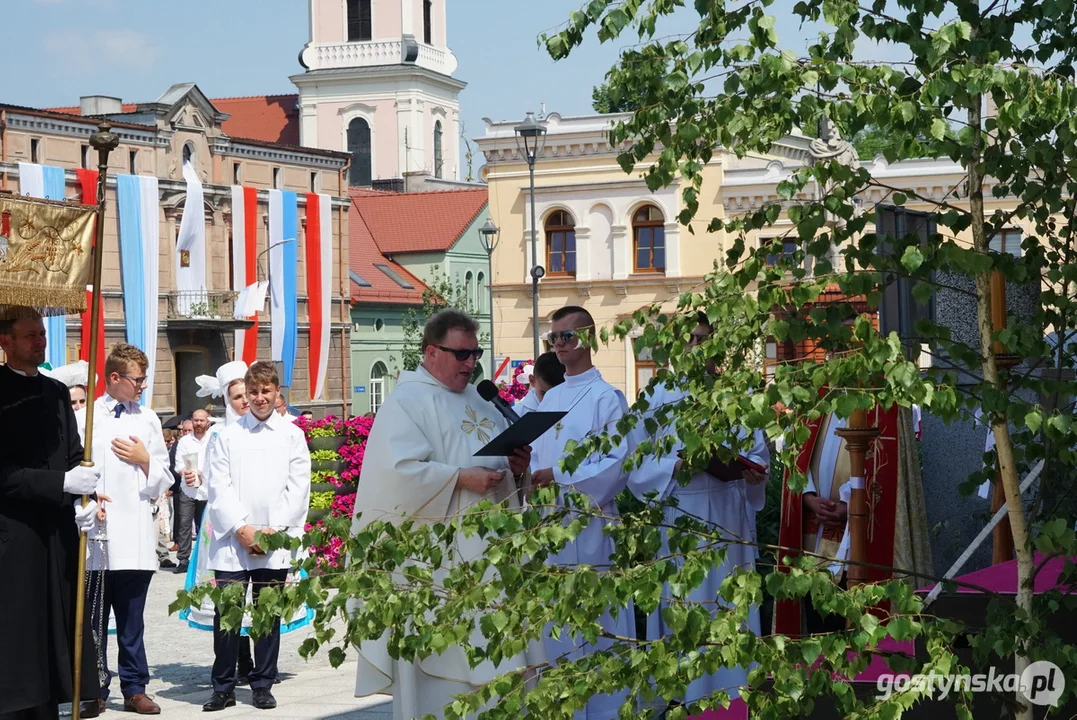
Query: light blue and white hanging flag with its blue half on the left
[(139, 242)]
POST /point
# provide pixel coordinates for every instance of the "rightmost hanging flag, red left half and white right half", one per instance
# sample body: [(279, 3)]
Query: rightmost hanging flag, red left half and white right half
[(319, 288)]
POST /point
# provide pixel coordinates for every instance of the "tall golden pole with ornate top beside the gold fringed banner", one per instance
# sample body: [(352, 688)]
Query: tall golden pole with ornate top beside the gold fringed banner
[(104, 142)]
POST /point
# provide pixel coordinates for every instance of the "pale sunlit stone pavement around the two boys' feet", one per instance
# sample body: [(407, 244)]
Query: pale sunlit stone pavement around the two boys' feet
[(180, 660)]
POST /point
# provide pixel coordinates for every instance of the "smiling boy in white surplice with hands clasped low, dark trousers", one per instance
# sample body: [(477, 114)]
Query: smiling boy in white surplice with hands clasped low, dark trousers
[(259, 479)]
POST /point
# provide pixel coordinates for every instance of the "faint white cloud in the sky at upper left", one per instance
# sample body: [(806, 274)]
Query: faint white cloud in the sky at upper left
[(83, 52)]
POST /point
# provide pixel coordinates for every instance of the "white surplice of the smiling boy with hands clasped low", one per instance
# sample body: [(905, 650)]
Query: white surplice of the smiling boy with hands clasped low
[(258, 474)]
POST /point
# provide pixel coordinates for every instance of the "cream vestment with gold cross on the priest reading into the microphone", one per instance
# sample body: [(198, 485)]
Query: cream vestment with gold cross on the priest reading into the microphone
[(424, 435)]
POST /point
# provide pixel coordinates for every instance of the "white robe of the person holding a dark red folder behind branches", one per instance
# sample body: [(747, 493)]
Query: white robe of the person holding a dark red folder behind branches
[(729, 505)]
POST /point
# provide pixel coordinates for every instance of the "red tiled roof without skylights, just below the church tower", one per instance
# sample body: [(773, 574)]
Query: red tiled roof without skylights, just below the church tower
[(418, 222)]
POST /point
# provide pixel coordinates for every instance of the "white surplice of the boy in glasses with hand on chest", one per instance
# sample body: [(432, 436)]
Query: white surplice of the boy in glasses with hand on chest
[(131, 526)]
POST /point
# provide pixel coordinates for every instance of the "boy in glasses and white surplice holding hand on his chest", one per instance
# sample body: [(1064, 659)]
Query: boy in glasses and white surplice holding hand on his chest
[(130, 445)]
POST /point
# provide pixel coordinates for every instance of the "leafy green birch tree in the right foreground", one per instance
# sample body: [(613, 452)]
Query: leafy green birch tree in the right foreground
[(732, 86)]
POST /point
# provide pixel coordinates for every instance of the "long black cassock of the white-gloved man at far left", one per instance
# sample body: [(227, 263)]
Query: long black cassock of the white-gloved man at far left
[(39, 546)]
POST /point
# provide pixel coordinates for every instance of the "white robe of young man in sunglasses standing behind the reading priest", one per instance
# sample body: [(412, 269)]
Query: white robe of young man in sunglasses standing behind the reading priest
[(593, 405)]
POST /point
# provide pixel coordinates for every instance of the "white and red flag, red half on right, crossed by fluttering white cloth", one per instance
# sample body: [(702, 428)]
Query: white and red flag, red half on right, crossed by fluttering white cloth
[(245, 251)]
